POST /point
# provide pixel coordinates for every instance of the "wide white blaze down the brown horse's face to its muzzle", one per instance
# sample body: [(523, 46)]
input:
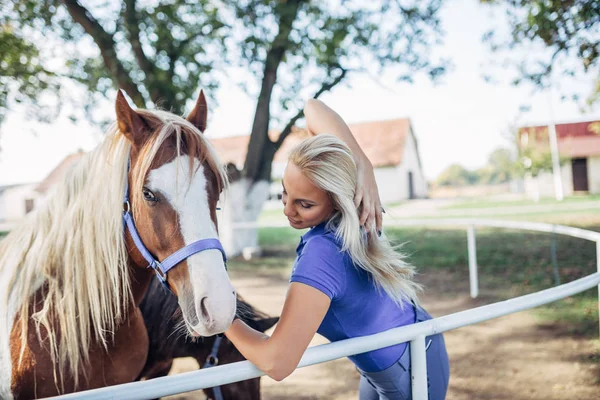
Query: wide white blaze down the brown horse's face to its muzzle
[(205, 293)]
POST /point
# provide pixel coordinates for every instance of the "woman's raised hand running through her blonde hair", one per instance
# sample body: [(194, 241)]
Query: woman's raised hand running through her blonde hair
[(366, 197)]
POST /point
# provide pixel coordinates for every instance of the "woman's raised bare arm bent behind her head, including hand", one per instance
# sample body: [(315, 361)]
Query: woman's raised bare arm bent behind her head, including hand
[(322, 119)]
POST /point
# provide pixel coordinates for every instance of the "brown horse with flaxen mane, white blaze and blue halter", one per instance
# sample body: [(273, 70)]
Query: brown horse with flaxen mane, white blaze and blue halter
[(73, 274)]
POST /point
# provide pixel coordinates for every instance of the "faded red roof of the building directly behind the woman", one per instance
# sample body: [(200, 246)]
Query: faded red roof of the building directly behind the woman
[(382, 142)]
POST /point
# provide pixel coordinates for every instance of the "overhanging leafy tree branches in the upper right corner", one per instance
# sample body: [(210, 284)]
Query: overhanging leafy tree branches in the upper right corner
[(568, 31)]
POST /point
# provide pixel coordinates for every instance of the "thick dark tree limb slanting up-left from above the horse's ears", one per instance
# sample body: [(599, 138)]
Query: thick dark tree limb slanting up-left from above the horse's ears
[(105, 42)]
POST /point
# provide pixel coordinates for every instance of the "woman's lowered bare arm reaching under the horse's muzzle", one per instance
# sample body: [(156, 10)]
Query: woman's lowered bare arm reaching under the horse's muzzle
[(279, 355)]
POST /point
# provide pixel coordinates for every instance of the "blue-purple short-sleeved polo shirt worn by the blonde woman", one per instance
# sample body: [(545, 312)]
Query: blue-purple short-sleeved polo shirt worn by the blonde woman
[(357, 307)]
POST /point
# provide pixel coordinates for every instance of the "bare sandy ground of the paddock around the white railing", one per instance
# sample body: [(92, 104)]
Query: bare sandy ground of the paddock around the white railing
[(513, 357)]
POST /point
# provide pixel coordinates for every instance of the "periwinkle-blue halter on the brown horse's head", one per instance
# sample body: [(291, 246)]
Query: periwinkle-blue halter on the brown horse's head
[(161, 268)]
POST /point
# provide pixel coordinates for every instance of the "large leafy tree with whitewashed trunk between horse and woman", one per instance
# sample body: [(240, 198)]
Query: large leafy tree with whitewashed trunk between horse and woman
[(161, 52)]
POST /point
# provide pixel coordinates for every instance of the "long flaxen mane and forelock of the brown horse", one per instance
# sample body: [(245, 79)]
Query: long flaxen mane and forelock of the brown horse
[(72, 247)]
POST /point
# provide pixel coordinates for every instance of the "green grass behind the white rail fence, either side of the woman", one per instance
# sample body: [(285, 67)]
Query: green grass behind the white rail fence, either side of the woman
[(510, 263)]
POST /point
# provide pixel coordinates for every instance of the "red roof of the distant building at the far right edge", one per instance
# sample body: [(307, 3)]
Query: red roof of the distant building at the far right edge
[(579, 139)]
